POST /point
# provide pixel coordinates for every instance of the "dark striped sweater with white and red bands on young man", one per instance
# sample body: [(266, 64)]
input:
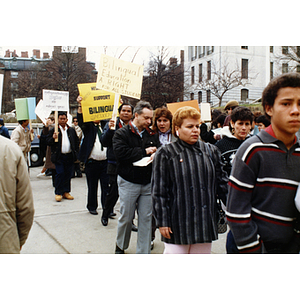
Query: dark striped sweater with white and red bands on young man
[(262, 187)]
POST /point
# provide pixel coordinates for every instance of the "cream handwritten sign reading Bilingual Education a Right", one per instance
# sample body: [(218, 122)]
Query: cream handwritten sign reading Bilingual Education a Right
[(120, 77)]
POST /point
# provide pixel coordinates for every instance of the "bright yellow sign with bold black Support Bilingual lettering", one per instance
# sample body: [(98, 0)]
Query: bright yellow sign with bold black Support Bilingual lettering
[(96, 104)]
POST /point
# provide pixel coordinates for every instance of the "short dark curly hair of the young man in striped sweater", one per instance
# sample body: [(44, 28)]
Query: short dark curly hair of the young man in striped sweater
[(285, 80)]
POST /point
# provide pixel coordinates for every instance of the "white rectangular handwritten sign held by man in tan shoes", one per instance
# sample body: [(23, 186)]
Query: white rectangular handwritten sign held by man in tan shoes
[(56, 100)]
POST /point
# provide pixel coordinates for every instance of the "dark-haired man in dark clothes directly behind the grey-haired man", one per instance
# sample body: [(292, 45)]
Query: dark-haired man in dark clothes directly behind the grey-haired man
[(125, 113)]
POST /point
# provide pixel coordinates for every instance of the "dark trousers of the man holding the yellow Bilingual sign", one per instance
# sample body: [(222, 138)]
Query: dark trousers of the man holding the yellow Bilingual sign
[(96, 170)]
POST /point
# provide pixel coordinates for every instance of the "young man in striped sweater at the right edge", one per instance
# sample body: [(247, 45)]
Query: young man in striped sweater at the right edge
[(265, 175)]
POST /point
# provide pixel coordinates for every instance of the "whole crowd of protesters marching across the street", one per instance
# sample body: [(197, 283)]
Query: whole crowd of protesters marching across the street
[(173, 170)]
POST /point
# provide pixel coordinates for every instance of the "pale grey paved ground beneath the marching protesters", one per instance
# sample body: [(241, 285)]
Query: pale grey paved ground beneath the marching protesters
[(67, 227)]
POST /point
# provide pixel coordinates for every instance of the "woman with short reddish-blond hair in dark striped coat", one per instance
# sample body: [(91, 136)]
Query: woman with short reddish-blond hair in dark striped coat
[(187, 179)]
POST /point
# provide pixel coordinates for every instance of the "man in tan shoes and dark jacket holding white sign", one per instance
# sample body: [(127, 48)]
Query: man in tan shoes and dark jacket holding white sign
[(63, 155)]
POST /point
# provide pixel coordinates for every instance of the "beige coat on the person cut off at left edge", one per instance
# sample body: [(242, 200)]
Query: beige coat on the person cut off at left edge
[(16, 200)]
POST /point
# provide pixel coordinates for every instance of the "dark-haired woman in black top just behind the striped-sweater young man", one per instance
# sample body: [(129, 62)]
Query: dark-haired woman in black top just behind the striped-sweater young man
[(240, 127)]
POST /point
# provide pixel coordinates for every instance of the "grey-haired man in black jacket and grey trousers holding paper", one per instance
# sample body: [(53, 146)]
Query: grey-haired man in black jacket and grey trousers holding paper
[(132, 143)]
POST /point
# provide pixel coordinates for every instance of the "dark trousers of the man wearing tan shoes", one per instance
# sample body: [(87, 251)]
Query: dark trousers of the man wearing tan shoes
[(64, 170)]
